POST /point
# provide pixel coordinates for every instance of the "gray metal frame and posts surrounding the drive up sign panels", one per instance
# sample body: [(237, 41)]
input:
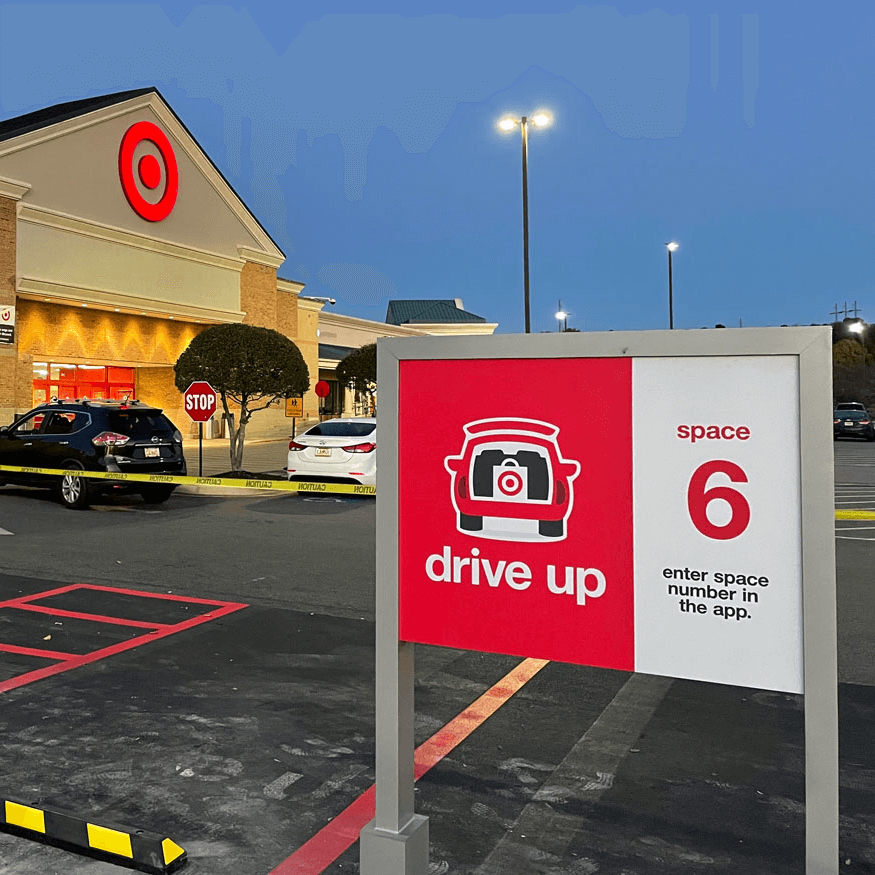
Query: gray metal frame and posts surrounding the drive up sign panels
[(396, 841)]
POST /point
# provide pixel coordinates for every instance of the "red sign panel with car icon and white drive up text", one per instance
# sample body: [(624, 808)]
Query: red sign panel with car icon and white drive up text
[(512, 481)]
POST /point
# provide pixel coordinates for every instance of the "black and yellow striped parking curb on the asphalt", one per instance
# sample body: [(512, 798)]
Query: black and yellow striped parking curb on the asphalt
[(122, 845)]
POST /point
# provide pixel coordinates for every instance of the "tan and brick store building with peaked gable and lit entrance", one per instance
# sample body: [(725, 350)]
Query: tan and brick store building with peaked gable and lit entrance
[(120, 240)]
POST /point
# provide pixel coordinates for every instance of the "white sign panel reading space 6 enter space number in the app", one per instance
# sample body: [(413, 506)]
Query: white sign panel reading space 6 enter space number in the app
[(718, 576)]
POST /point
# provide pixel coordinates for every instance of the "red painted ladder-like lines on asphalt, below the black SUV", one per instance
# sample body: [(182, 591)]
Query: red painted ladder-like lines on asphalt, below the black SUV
[(67, 661)]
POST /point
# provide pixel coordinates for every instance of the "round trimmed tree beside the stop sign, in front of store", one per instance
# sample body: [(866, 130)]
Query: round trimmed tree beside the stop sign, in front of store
[(253, 367)]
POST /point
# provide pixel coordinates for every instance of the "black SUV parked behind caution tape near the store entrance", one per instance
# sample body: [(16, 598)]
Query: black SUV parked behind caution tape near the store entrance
[(83, 435)]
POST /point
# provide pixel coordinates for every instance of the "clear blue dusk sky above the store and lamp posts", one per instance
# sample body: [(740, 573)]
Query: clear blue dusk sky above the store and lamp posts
[(364, 138)]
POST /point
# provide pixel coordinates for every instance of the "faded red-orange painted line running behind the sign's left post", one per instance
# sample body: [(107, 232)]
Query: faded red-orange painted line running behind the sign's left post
[(319, 852)]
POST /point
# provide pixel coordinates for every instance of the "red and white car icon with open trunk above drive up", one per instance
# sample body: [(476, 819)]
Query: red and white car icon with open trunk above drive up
[(511, 472)]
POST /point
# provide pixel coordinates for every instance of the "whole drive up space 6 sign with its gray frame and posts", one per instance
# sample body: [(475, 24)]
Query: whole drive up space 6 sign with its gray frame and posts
[(657, 502)]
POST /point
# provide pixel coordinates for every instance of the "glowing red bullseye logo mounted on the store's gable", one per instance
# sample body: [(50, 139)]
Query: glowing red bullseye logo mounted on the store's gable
[(148, 171)]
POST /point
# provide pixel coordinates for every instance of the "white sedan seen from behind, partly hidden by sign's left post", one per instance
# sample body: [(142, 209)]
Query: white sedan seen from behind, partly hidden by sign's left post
[(338, 450)]
